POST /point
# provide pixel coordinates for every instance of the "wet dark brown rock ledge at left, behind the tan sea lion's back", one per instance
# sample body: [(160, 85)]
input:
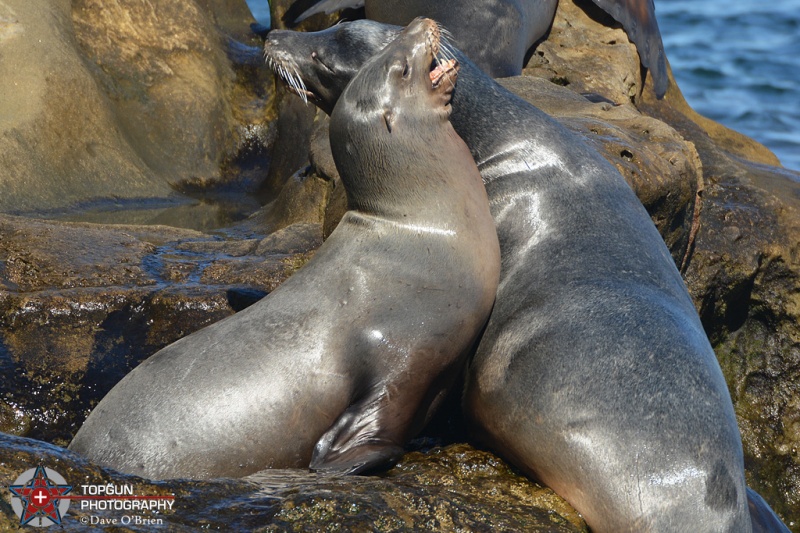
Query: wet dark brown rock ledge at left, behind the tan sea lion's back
[(82, 304)]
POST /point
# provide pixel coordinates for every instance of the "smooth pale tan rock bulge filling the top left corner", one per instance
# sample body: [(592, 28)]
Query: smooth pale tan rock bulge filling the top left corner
[(52, 154)]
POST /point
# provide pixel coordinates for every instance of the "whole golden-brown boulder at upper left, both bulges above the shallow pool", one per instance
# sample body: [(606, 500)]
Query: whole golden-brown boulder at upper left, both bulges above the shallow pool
[(123, 101)]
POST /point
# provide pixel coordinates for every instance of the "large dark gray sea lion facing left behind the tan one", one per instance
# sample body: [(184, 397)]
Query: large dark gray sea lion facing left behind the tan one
[(594, 374)]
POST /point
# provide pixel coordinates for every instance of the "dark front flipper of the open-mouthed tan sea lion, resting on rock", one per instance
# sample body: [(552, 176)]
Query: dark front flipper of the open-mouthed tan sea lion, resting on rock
[(357, 441)]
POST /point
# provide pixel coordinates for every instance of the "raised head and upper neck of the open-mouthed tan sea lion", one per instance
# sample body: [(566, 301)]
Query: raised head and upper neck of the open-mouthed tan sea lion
[(395, 113)]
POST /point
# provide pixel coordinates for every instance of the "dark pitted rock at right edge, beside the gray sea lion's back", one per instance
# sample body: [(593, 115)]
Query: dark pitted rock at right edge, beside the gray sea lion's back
[(744, 276)]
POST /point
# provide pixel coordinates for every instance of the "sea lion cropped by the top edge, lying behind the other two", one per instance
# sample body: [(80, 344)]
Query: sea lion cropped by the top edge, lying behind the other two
[(497, 35)]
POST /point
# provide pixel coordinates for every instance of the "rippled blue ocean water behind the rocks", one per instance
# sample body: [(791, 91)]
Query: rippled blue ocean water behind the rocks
[(736, 62)]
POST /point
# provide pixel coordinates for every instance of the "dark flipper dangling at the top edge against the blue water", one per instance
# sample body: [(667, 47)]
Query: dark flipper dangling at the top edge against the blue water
[(638, 18)]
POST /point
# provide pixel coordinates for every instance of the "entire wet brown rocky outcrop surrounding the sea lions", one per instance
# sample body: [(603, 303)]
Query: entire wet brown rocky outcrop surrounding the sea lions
[(81, 304)]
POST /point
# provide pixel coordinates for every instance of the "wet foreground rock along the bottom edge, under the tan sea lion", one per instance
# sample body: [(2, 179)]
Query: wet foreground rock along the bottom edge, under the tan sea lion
[(444, 489)]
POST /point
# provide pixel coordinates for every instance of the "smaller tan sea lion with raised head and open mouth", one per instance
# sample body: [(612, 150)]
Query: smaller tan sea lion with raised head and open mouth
[(347, 359)]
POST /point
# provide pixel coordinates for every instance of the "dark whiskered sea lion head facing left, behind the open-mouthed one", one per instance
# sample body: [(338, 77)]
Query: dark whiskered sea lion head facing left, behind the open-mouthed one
[(318, 65)]
